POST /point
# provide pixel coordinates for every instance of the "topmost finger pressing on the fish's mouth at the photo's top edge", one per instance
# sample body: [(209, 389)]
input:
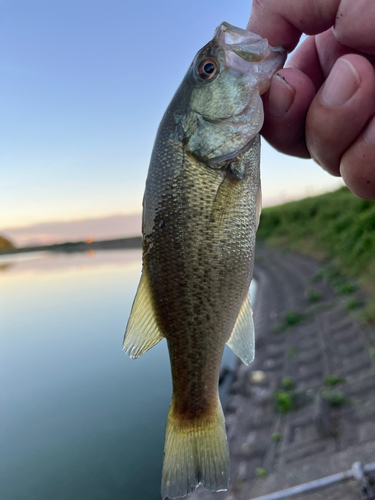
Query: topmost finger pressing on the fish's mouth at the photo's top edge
[(283, 22)]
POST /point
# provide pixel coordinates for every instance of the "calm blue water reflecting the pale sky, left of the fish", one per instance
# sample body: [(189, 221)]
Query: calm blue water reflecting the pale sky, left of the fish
[(79, 420)]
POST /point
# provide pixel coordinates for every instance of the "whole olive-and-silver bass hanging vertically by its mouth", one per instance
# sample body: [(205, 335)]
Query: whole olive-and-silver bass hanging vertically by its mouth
[(201, 209)]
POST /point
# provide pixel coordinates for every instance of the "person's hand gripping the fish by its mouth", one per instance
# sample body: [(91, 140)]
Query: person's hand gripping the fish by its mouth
[(322, 104)]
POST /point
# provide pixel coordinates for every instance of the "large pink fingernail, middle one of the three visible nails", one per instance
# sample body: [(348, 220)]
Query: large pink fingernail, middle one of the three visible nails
[(341, 84)]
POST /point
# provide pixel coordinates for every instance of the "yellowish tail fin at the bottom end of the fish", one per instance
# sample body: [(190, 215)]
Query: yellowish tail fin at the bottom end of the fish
[(195, 452)]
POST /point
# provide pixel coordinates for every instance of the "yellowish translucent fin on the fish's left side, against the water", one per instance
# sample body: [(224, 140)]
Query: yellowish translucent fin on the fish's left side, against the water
[(142, 331)]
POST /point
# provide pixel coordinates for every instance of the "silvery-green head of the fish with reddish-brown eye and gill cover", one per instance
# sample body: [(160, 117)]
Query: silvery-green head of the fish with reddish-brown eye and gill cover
[(222, 110)]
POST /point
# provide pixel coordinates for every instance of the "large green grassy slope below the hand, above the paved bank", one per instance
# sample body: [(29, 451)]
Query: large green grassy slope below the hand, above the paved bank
[(337, 226)]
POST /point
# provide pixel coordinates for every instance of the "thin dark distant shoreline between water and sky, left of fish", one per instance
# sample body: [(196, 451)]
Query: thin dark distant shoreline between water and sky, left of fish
[(81, 246)]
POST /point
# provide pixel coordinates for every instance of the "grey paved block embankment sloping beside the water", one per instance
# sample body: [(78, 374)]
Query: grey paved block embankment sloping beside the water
[(317, 439)]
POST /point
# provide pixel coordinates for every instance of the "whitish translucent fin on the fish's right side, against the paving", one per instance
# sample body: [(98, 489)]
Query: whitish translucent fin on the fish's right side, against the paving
[(242, 340)]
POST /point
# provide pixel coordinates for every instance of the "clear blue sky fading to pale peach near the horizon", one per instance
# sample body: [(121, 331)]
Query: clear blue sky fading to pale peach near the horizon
[(83, 86)]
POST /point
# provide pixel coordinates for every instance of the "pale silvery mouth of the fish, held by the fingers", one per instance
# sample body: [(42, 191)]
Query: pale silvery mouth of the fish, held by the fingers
[(248, 53)]
